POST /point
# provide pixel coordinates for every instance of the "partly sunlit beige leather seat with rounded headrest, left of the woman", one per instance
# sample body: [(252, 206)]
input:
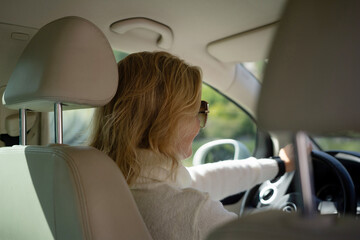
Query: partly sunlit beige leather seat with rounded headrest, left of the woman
[(58, 191)]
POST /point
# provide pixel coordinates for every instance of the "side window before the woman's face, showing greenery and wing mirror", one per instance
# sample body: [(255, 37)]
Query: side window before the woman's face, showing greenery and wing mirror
[(230, 133)]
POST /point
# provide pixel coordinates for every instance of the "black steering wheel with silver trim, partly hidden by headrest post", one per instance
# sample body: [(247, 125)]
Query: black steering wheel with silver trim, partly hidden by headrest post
[(280, 193)]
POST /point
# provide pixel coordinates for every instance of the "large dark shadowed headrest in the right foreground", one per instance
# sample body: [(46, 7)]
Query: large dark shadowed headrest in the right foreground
[(312, 80)]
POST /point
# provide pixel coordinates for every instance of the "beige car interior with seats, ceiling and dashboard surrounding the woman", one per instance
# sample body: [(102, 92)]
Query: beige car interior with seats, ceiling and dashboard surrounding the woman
[(288, 67)]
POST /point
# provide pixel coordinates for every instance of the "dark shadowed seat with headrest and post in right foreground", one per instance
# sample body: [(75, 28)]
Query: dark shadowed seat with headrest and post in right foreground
[(311, 84)]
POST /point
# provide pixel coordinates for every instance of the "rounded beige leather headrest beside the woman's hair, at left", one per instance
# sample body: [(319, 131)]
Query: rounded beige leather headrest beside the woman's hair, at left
[(68, 61)]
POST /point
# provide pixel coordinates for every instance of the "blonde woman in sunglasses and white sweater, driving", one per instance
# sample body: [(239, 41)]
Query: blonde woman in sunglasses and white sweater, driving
[(149, 127)]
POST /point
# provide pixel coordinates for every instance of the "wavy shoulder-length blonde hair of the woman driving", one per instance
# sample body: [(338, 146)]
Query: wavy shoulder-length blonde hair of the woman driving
[(156, 90)]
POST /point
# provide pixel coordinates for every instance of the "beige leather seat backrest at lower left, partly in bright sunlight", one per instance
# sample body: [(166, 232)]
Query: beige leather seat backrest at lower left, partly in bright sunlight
[(63, 192)]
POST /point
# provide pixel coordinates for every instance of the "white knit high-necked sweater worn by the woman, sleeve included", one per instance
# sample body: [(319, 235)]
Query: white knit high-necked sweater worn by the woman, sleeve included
[(187, 207)]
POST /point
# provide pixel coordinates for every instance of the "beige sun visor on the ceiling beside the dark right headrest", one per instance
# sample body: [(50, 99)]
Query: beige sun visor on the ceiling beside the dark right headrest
[(249, 46)]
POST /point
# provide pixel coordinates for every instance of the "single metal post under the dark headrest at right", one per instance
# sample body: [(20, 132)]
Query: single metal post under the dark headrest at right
[(305, 173)]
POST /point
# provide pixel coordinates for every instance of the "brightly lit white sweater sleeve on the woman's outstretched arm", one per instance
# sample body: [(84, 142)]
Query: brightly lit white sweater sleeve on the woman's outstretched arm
[(225, 178)]
